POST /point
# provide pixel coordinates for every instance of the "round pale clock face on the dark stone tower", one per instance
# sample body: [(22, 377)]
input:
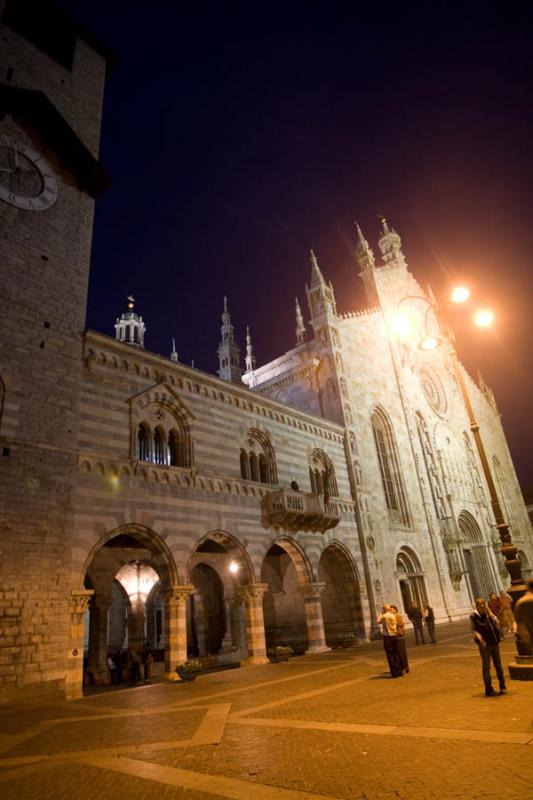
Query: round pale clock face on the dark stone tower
[(26, 178)]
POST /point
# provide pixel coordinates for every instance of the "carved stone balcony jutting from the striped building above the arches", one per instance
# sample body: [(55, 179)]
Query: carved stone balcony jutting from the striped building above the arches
[(296, 511)]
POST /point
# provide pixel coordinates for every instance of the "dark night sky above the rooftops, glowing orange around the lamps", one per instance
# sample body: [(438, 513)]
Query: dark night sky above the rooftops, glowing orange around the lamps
[(238, 136)]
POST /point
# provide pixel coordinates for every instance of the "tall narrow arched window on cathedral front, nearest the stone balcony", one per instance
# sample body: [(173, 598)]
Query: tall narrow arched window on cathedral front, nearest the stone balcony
[(389, 466)]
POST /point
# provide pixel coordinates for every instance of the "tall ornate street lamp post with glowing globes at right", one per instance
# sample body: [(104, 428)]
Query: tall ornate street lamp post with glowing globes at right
[(429, 340)]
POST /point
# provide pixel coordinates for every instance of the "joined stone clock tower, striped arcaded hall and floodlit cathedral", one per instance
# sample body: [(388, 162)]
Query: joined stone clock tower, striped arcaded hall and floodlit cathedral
[(150, 505)]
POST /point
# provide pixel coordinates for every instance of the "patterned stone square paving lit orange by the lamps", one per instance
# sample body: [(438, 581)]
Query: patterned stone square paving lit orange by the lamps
[(314, 728)]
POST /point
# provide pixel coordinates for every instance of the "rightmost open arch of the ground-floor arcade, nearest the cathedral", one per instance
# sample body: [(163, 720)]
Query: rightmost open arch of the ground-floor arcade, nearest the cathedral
[(341, 599)]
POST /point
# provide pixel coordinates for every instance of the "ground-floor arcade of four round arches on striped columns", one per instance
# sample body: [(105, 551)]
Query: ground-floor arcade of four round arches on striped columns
[(132, 599)]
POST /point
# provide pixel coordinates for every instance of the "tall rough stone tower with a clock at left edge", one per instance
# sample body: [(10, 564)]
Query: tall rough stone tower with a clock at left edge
[(51, 88)]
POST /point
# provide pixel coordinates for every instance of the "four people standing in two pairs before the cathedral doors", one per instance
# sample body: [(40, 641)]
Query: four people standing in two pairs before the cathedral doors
[(393, 632)]
